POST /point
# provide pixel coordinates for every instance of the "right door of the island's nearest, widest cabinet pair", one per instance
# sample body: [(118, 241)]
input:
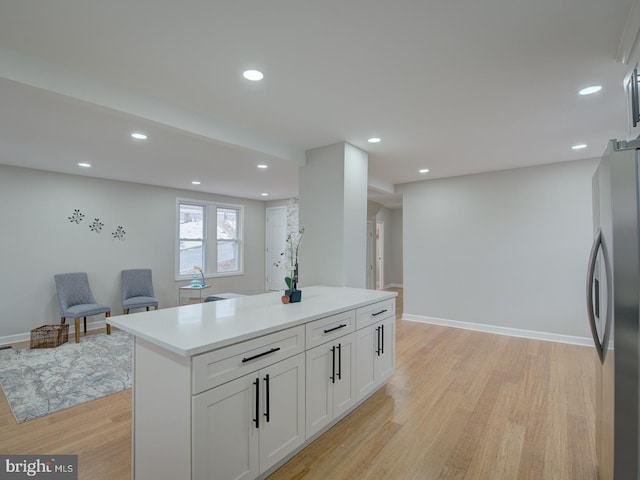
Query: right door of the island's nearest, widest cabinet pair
[(283, 405)]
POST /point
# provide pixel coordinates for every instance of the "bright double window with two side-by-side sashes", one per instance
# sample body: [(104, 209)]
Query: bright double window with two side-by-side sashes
[(195, 227)]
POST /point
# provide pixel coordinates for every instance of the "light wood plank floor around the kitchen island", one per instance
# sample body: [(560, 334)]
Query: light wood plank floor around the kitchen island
[(461, 404)]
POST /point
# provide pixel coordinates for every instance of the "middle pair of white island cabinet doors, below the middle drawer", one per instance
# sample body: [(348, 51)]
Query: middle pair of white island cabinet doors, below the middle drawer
[(331, 388)]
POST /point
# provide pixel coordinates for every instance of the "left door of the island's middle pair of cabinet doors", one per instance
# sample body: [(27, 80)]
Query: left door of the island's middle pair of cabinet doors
[(319, 395)]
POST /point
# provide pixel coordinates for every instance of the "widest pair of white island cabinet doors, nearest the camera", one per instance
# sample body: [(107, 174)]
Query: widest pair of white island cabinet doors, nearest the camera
[(245, 426)]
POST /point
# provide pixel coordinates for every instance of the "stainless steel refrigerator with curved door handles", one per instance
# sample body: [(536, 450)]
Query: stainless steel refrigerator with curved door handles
[(613, 297)]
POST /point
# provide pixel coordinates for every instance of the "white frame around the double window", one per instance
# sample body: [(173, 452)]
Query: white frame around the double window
[(210, 242)]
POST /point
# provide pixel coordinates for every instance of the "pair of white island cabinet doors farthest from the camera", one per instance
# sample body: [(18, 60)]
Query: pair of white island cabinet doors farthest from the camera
[(375, 359)]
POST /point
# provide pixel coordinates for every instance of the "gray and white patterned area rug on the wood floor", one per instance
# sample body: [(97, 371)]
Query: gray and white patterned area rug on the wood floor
[(40, 381)]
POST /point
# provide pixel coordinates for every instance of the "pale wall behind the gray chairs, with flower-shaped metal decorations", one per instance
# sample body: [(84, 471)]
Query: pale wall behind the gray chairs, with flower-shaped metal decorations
[(39, 241)]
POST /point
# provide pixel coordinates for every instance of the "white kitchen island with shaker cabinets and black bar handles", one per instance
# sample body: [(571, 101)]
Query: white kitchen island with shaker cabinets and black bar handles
[(234, 388)]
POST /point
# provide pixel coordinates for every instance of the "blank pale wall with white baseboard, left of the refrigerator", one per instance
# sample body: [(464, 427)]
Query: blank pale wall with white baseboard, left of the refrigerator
[(506, 249)]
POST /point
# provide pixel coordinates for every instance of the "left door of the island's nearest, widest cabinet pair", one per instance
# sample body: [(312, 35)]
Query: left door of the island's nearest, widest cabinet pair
[(225, 440)]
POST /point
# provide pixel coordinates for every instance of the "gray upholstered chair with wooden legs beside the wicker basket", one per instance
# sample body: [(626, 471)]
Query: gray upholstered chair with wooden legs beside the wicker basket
[(76, 300)]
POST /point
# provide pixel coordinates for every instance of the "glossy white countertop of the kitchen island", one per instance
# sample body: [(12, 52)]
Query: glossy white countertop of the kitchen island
[(192, 329)]
